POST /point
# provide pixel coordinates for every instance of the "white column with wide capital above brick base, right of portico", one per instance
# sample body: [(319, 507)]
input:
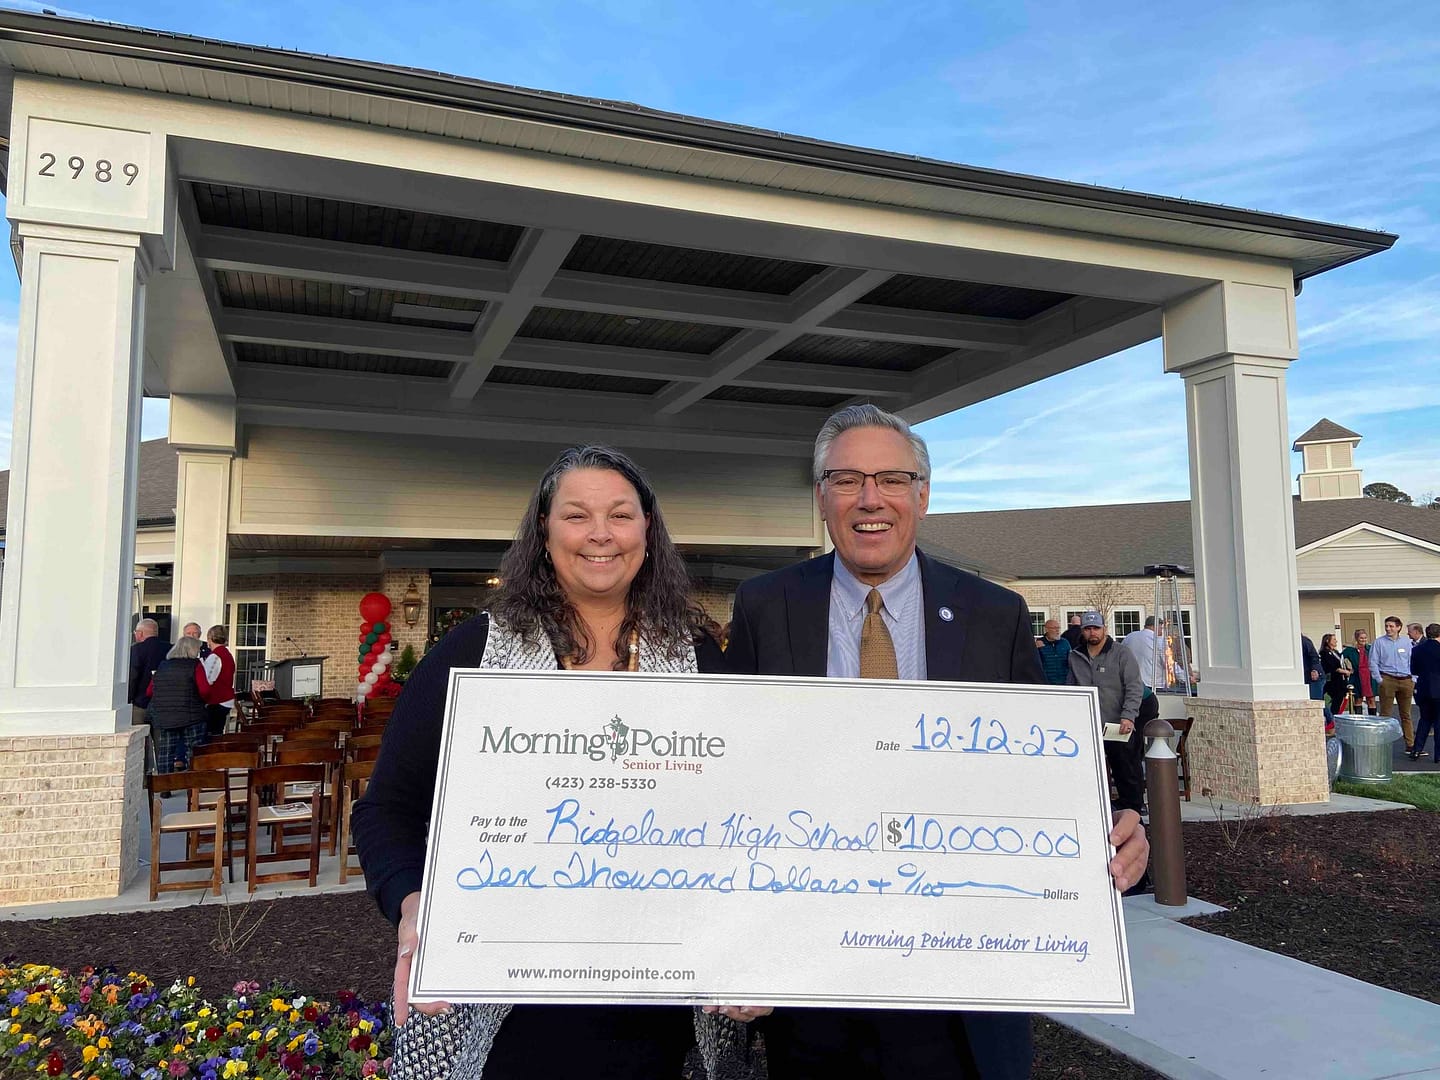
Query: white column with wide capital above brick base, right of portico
[(1233, 343)]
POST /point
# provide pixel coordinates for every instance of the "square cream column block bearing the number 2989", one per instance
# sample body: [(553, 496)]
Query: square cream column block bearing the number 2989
[(90, 169)]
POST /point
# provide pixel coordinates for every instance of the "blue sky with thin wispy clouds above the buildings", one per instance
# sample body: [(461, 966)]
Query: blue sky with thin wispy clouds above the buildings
[(1327, 110)]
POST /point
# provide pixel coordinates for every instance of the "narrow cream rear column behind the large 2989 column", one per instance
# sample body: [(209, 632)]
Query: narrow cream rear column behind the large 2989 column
[(204, 433)]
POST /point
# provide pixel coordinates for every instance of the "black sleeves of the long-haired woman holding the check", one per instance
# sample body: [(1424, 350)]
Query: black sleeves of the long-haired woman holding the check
[(392, 820)]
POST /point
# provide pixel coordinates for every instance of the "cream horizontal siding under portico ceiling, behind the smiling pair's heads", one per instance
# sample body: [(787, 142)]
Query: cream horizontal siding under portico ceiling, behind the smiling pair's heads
[(322, 483)]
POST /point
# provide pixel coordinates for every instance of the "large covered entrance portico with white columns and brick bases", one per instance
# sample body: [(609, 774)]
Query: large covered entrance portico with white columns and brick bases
[(379, 300)]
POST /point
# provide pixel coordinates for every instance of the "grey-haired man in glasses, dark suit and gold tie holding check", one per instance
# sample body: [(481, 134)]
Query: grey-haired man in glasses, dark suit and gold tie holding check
[(879, 607)]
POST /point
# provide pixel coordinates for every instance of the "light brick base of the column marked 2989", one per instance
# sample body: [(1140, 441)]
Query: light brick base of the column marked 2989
[(67, 827)]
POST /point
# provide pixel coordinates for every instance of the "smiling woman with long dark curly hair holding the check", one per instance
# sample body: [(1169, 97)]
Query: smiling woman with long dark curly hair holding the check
[(591, 582)]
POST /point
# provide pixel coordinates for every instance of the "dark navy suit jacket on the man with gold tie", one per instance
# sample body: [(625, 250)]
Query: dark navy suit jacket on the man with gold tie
[(781, 627)]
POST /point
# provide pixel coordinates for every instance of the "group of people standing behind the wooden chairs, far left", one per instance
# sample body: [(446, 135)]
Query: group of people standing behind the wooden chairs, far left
[(184, 690)]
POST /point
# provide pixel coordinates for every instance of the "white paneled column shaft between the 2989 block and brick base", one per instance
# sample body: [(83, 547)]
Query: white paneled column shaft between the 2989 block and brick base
[(71, 532)]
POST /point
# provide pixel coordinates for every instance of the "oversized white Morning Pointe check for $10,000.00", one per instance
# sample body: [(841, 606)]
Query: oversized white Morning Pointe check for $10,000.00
[(784, 842)]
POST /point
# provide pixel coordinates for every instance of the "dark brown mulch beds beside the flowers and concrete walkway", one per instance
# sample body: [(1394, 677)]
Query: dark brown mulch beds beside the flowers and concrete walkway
[(1347, 892)]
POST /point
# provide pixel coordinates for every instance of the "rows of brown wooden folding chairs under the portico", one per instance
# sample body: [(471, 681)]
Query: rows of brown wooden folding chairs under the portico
[(290, 771)]
